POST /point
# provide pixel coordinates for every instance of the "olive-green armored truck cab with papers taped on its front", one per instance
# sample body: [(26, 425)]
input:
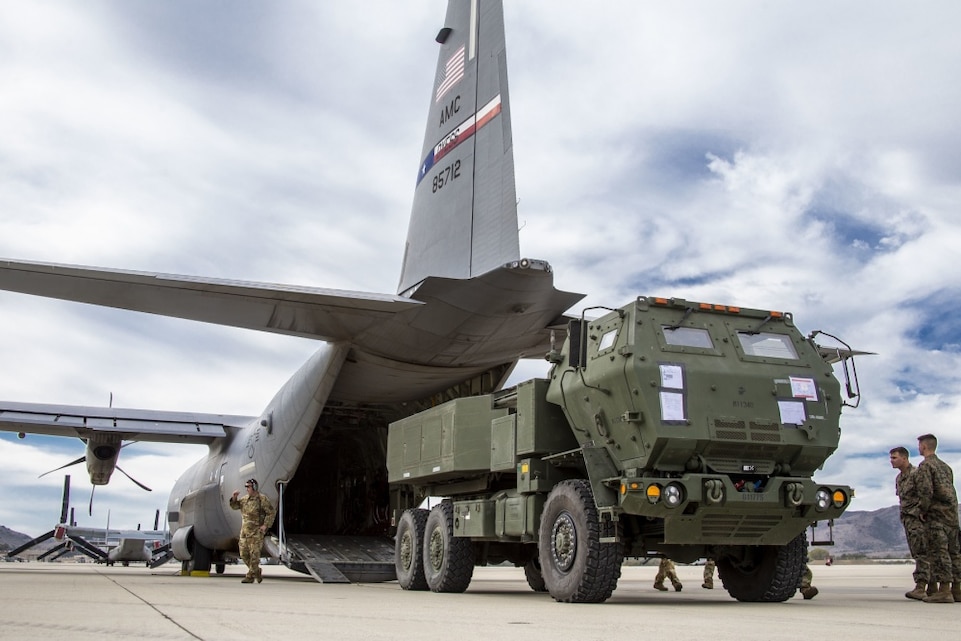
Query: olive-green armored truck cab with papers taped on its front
[(712, 418)]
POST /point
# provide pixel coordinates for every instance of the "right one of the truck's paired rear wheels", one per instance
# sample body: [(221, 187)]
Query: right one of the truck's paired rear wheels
[(448, 559)]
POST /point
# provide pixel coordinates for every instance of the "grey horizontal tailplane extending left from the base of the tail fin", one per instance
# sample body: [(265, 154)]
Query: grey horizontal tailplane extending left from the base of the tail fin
[(308, 312)]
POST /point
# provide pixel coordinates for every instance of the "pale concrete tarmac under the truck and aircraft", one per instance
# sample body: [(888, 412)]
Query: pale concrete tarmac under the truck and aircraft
[(85, 601)]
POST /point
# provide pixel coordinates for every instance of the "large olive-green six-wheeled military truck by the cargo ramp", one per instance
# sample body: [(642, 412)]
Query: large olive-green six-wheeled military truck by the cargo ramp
[(666, 428)]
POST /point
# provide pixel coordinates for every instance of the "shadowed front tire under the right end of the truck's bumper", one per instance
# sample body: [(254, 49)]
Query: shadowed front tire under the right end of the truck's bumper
[(767, 573)]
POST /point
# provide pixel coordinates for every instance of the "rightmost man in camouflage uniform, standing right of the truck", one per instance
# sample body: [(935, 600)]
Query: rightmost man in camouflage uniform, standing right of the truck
[(934, 481)]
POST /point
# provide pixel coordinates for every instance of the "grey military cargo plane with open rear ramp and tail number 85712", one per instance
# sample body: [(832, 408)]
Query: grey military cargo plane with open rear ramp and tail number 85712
[(467, 308)]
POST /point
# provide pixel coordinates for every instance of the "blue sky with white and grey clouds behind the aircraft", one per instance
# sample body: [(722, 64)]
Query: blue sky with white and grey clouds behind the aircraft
[(795, 156)]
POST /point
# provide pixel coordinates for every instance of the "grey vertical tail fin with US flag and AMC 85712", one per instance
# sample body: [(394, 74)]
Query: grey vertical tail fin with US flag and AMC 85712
[(464, 217)]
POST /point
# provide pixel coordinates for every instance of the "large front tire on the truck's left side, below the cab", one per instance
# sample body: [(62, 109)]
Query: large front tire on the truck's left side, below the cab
[(576, 566)]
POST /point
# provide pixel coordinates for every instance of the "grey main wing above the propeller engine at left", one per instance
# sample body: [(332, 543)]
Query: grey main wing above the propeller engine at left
[(128, 424)]
